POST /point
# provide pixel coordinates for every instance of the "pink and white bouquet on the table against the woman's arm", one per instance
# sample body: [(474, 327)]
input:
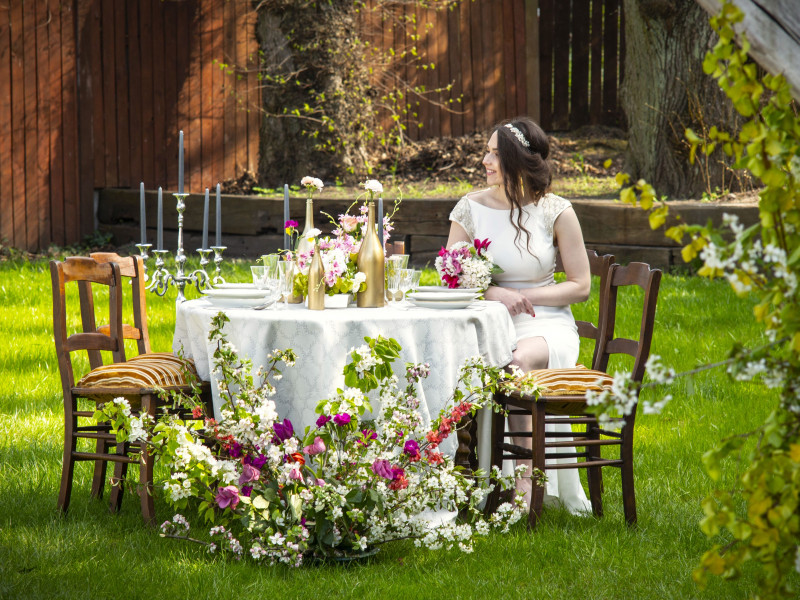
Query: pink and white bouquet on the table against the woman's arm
[(467, 266)]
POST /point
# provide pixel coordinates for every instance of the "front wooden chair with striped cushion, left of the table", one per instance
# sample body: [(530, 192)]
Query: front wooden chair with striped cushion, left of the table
[(137, 380)]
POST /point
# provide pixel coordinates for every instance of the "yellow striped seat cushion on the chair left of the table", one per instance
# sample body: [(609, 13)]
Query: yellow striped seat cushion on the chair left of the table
[(146, 371)]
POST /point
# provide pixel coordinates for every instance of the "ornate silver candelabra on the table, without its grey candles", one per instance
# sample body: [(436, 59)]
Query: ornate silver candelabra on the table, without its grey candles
[(162, 279)]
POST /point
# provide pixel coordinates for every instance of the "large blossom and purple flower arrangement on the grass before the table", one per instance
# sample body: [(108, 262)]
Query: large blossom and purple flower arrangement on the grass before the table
[(343, 485)]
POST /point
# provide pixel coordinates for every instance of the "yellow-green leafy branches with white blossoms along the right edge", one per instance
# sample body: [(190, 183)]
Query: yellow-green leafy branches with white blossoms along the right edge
[(762, 260)]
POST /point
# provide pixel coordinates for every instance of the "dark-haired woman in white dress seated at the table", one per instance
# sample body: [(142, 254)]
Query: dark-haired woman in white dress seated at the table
[(525, 224)]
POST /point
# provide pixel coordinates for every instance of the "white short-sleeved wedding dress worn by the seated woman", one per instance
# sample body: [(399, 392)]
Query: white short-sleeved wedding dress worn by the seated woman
[(529, 269)]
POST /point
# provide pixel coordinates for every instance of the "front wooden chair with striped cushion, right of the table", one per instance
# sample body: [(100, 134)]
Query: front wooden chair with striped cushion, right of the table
[(563, 400)]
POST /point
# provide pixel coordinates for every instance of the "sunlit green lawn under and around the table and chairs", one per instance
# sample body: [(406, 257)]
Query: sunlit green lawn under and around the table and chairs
[(93, 554)]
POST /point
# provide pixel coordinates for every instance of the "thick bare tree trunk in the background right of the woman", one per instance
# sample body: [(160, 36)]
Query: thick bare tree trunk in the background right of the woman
[(665, 91)]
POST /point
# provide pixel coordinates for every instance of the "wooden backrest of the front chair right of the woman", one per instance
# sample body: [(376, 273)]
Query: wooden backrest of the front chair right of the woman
[(648, 280)]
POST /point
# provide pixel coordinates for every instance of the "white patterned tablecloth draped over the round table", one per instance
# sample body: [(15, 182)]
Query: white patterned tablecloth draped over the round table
[(322, 339)]
